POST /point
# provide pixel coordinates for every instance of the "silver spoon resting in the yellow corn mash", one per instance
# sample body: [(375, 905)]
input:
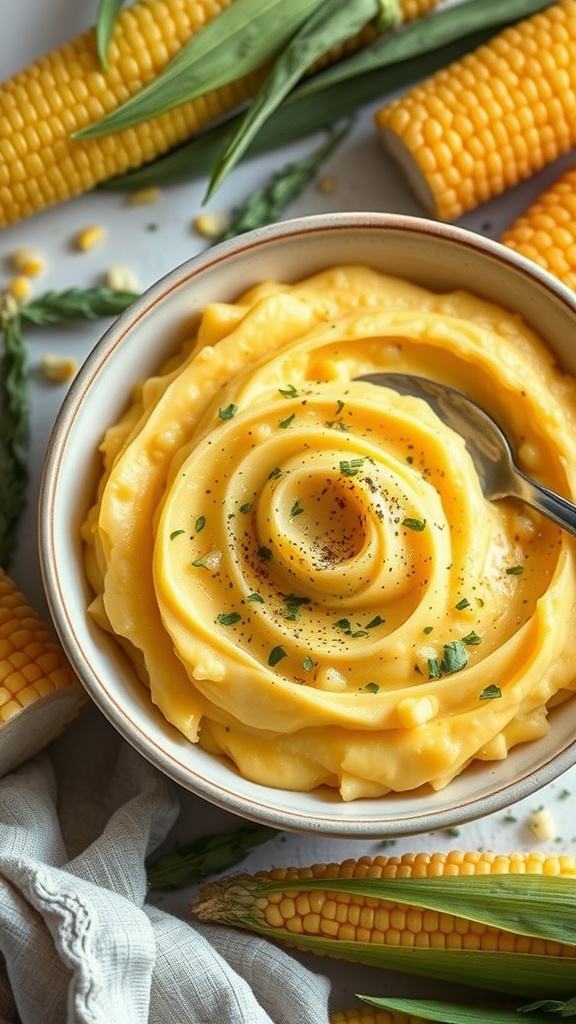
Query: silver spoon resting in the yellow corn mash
[(489, 449)]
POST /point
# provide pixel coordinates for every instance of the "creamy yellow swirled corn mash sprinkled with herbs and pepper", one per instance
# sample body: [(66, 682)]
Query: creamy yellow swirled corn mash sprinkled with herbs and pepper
[(304, 568)]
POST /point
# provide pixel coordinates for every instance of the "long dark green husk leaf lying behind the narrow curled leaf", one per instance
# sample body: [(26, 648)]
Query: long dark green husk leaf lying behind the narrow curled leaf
[(403, 58)]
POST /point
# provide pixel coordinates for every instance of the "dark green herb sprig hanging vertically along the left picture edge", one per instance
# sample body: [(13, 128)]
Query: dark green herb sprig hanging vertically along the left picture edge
[(15, 434)]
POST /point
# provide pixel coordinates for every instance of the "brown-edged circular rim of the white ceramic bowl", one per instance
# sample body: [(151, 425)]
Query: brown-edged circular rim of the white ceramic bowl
[(264, 812)]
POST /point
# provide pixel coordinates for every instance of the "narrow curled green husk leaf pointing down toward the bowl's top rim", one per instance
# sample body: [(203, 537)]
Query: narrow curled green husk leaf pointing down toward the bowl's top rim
[(333, 23)]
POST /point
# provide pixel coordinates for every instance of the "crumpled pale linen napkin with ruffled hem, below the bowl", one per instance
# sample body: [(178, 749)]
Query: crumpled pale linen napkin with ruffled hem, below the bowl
[(80, 945)]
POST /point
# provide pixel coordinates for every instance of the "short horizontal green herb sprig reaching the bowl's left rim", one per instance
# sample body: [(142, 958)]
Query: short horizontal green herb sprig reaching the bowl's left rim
[(76, 304)]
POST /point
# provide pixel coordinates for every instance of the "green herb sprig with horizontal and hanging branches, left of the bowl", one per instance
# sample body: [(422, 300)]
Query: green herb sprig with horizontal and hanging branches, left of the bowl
[(51, 309)]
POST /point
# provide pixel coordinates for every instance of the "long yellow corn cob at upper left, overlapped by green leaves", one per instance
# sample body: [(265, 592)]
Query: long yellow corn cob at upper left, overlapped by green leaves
[(67, 91)]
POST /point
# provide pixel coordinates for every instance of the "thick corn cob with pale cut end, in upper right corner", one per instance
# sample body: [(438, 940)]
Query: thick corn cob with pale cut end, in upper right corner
[(491, 119)]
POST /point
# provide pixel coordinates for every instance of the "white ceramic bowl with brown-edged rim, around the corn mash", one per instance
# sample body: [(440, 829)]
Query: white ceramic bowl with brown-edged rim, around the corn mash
[(431, 254)]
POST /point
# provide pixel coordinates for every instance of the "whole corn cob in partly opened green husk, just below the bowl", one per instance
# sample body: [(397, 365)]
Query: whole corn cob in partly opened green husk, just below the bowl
[(505, 922)]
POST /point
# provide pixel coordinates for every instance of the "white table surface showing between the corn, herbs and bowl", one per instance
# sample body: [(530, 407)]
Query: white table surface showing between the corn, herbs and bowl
[(365, 181)]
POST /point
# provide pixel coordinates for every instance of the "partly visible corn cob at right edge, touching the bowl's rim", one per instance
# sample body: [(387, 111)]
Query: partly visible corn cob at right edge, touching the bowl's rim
[(547, 232)]
